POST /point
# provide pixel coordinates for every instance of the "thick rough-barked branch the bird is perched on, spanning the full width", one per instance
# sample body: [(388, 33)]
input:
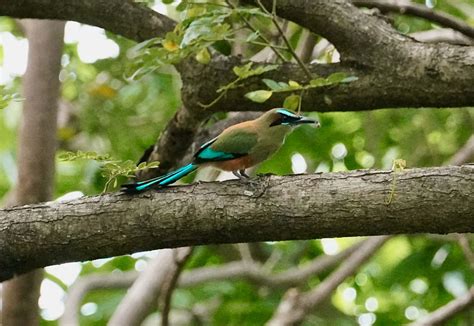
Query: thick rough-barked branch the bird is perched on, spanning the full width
[(434, 200)]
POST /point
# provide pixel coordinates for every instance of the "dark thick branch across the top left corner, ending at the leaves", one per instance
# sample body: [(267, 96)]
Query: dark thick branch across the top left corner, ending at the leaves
[(127, 18)]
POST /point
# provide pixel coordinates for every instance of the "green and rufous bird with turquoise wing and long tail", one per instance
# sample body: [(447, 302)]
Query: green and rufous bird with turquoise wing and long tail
[(237, 148)]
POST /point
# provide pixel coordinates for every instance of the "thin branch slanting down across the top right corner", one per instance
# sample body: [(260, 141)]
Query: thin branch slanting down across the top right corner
[(413, 9)]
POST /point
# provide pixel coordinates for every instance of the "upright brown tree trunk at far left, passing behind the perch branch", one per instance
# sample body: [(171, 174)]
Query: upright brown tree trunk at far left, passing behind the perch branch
[(37, 146)]
